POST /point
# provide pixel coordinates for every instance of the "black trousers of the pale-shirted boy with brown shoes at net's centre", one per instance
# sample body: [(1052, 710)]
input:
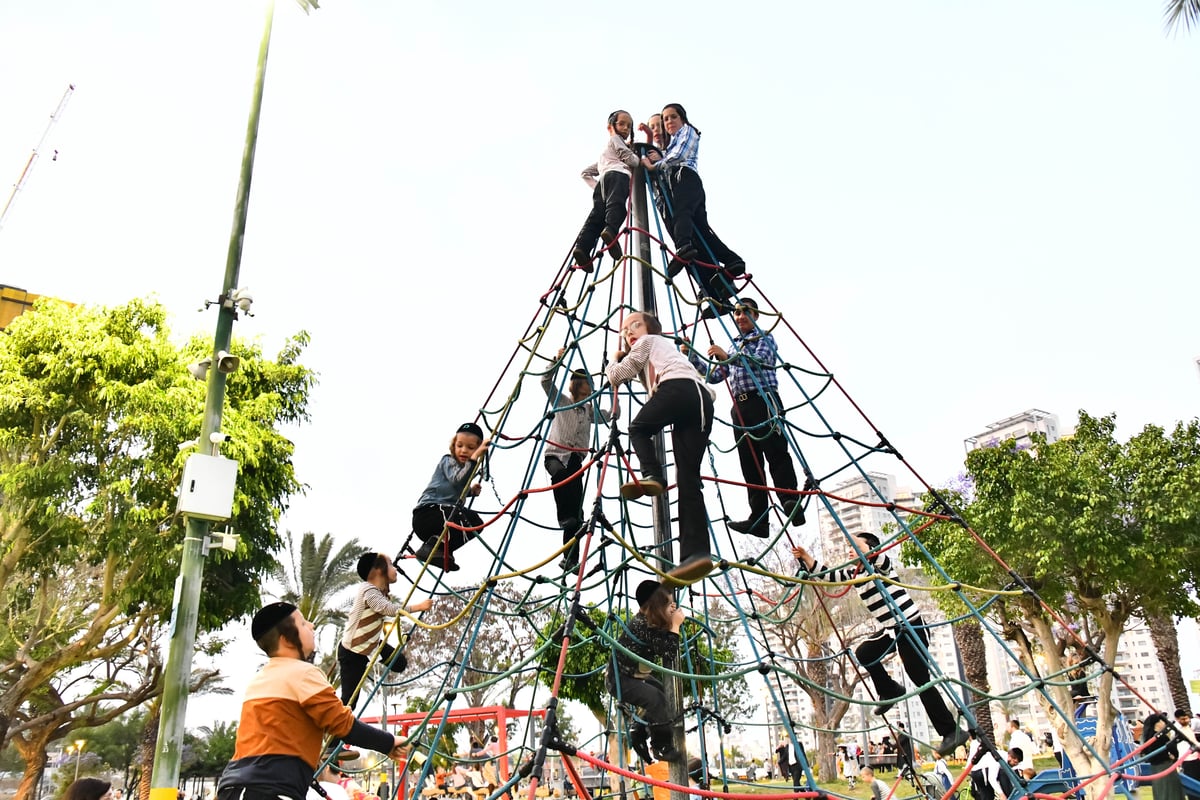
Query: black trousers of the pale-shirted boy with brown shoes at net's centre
[(687, 406)]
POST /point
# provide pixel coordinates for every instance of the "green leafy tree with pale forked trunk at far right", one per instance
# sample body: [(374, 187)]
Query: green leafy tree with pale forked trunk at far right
[(1105, 531)]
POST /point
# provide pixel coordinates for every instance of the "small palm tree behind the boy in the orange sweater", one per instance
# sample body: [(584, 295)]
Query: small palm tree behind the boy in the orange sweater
[(316, 575)]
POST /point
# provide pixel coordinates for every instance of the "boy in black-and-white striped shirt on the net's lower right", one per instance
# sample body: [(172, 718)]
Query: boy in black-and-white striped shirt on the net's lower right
[(902, 629)]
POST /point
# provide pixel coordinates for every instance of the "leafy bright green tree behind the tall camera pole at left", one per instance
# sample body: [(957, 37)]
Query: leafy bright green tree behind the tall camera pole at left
[(94, 404)]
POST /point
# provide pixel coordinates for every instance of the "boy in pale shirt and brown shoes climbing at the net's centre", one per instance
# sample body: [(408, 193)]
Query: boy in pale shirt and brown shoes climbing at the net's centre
[(677, 398)]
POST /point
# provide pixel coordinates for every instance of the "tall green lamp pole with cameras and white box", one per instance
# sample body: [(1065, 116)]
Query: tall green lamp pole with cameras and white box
[(207, 491)]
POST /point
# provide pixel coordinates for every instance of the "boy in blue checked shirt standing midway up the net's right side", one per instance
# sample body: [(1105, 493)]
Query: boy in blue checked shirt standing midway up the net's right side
[(751, 369)]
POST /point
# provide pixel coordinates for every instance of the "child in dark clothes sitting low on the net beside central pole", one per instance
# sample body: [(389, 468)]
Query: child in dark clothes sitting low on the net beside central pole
[(653, 633)]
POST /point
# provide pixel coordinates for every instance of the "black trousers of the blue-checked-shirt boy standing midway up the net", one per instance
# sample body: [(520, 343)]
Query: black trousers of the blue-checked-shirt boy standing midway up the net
[(760, 440)]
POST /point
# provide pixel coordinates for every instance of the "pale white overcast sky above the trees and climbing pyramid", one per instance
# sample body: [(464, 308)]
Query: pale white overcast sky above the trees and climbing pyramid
[(965, 209)]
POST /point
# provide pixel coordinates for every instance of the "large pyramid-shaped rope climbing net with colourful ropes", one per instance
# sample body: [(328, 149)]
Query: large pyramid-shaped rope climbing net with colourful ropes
[(609, 585)]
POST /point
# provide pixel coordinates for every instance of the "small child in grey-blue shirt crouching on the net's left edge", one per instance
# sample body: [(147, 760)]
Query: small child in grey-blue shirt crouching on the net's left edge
[(442, 501)]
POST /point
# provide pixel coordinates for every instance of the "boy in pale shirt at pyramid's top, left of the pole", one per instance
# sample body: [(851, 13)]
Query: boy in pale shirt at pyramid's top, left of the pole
[(609, 179)]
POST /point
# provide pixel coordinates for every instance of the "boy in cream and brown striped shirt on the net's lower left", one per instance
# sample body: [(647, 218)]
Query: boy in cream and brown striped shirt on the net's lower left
[(373, 607)]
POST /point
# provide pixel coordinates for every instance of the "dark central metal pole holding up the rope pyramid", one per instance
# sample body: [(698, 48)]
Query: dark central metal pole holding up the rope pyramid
[(662, 507)]
